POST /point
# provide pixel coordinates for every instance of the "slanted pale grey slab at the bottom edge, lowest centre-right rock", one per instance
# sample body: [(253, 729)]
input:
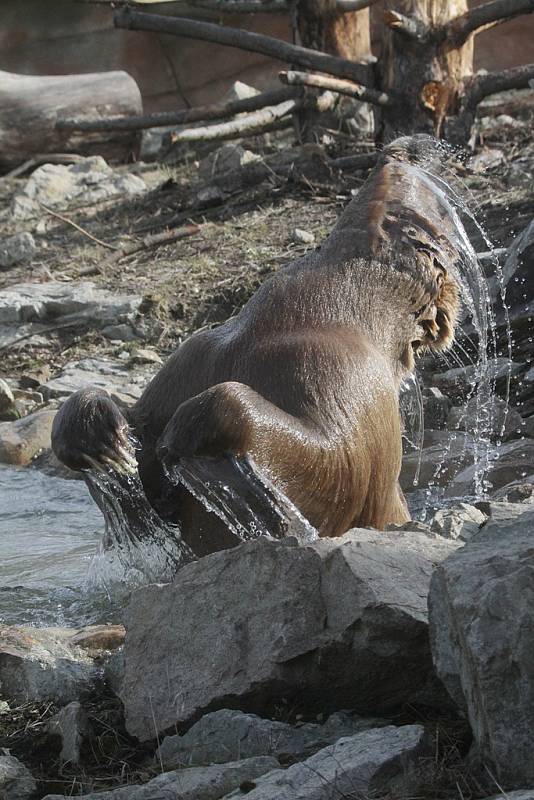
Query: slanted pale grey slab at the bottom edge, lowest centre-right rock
[(357, 766)]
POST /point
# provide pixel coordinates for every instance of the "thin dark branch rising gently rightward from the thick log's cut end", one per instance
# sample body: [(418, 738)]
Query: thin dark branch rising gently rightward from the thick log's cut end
[(183, 117)]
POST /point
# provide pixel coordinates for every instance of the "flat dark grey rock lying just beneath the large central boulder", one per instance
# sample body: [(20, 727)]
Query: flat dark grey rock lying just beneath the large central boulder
[(227, 735)]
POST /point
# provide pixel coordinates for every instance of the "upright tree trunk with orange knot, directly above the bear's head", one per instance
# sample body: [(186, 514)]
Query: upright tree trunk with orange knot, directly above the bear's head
[(420, 67)]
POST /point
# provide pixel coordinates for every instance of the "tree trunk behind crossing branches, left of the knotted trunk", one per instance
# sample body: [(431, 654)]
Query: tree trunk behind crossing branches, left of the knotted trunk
[(321, 26)]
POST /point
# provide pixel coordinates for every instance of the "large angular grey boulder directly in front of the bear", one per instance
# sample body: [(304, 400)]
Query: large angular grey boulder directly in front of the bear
[(340, 622)]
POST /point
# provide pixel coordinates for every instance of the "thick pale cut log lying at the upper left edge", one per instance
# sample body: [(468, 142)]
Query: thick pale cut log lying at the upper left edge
[(30, 106)]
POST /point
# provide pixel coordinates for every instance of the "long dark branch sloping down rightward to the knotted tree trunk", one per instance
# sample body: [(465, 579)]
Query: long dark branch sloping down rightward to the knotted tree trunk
[(244, 40)]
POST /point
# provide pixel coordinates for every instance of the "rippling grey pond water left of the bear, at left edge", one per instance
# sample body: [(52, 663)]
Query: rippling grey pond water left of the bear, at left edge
[(50, 529)]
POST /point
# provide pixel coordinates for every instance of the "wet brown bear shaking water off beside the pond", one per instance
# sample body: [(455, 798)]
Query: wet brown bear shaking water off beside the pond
[(302, 386)]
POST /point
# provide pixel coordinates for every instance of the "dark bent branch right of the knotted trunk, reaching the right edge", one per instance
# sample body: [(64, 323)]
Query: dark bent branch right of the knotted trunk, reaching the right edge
[(480, 86)]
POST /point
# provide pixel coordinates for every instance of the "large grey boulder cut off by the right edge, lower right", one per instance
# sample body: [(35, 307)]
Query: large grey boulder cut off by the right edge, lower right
[(482, 634)]
